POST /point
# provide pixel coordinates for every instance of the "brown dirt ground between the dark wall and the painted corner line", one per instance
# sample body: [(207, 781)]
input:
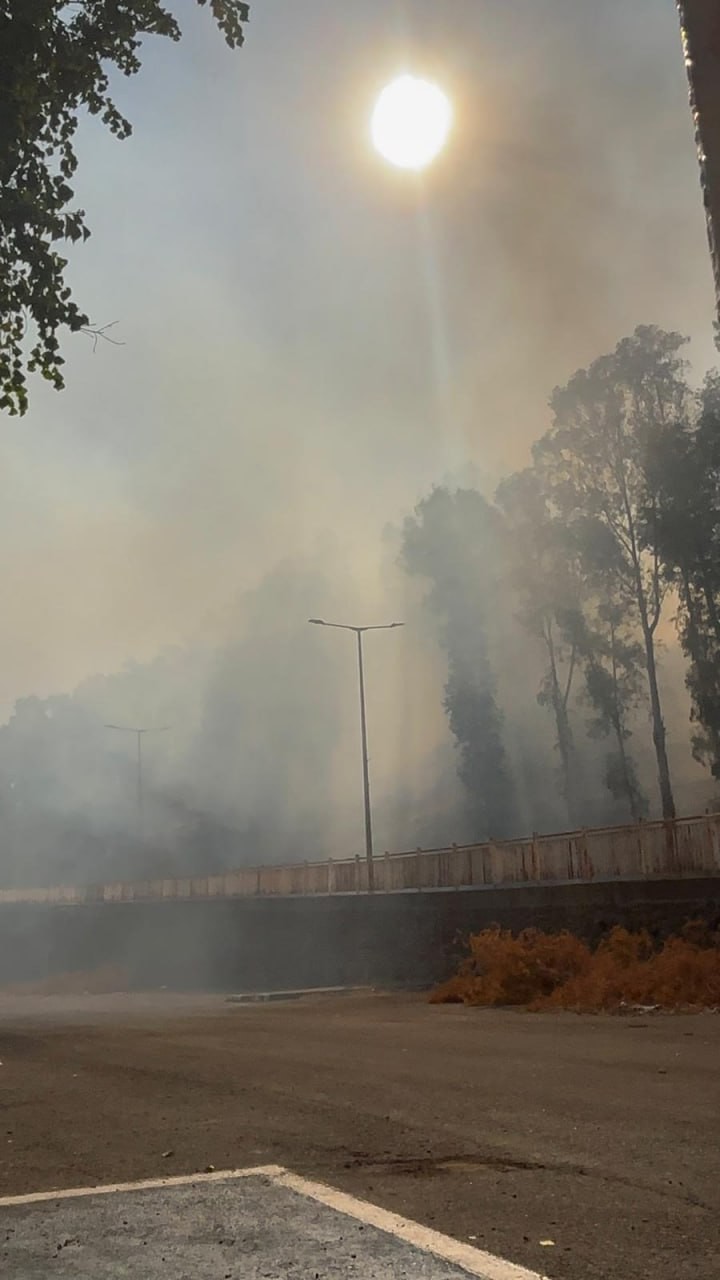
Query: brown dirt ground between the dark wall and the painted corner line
[(601, 1135)]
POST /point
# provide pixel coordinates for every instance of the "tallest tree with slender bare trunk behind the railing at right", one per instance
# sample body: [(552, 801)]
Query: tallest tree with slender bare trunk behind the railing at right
[(595, 467)]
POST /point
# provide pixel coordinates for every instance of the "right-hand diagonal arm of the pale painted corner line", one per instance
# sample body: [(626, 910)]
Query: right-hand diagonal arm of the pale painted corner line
[(476, 1263)]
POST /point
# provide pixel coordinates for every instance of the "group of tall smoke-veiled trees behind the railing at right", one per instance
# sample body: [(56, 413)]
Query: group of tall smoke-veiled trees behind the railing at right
[(613, 528)]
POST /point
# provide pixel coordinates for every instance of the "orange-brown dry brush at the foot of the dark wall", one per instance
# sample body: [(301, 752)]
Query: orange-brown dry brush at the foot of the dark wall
[(558, 971)]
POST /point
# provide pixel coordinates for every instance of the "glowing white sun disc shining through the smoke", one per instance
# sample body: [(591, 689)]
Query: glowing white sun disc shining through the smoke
[(412, 122)]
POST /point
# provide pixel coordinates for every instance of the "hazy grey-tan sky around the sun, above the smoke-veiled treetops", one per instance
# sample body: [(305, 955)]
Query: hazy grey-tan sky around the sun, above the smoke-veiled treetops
[(313, 339)]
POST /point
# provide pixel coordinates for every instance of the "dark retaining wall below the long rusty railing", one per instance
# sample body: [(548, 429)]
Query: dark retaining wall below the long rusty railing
[(274, 944)]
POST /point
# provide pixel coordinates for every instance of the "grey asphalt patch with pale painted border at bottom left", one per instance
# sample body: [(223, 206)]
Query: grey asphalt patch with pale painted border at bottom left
[(265, 1226)]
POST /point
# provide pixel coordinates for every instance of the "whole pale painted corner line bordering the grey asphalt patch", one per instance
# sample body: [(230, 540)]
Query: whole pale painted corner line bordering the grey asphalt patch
[(423, 1241)]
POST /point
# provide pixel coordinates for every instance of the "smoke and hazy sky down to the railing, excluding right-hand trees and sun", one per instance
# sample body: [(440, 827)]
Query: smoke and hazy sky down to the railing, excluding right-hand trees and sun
[(312, 342)]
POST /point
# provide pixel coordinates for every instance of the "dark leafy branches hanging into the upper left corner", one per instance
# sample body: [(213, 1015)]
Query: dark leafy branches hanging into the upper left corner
[(56, 62)]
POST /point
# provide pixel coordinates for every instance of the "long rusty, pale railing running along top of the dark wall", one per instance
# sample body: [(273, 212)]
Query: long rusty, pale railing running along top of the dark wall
[(685, 848)]
